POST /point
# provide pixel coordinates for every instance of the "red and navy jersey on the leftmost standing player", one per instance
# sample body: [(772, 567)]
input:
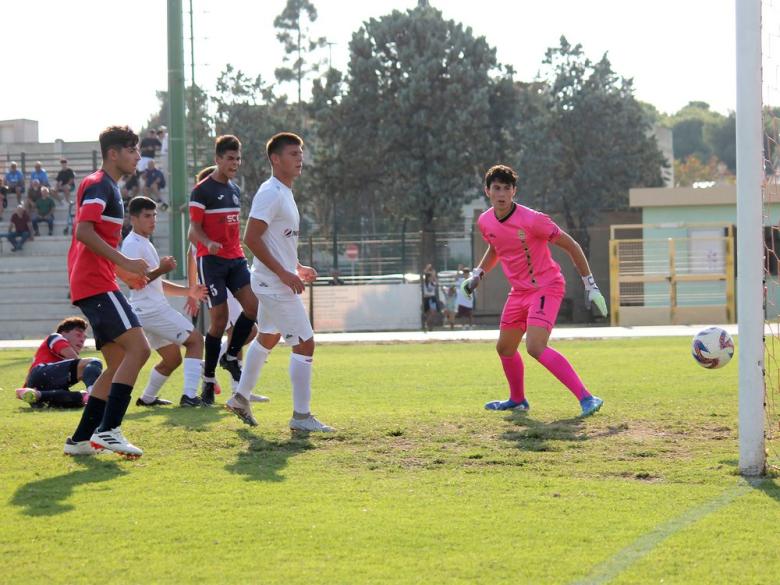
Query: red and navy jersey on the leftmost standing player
[(98, 201)]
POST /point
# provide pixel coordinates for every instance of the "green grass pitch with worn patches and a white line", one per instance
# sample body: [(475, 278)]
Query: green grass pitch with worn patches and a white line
[(420, 484)]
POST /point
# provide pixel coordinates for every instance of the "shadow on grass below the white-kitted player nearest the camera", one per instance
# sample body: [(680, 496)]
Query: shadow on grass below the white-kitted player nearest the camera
[(263, 459)]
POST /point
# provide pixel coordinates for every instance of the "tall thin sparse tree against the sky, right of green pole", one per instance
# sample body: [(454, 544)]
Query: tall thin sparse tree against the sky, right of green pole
[(297, 41)]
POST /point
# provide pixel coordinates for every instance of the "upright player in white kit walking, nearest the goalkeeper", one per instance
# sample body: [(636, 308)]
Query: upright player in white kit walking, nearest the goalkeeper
[(278, 280)]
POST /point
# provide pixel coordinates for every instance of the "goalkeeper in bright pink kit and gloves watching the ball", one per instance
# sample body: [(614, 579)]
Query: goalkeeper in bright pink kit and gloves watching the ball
[(519, 238)]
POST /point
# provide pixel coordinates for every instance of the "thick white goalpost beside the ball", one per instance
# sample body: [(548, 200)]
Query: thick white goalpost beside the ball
[(750, 247)]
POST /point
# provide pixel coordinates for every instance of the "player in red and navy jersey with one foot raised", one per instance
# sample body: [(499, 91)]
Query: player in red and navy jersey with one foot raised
[(215, 206)]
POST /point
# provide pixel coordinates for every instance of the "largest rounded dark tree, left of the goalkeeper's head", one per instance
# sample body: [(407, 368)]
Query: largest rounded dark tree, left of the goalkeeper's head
[(417, 108)]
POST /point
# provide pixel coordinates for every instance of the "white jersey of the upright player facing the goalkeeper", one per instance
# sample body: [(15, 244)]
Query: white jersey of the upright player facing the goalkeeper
[(274, 204)]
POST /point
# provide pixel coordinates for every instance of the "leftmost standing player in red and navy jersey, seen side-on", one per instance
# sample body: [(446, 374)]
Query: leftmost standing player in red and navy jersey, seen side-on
[(94, 262)]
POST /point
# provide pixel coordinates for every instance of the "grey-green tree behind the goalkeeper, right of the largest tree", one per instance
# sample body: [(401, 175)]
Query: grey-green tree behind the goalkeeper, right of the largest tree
[(584, 140)]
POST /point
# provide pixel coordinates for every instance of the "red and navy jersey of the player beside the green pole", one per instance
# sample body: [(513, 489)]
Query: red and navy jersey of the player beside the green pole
[(216, 207)]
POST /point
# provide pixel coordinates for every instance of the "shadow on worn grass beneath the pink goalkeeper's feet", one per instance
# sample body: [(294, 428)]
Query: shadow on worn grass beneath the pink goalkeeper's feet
[(534, 435)]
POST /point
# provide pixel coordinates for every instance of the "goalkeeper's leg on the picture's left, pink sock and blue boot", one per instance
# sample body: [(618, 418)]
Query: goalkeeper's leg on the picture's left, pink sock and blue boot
[(512, 328)]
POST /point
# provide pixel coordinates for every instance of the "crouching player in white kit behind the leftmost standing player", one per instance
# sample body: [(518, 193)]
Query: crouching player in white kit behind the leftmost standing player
[(164, 327)]
